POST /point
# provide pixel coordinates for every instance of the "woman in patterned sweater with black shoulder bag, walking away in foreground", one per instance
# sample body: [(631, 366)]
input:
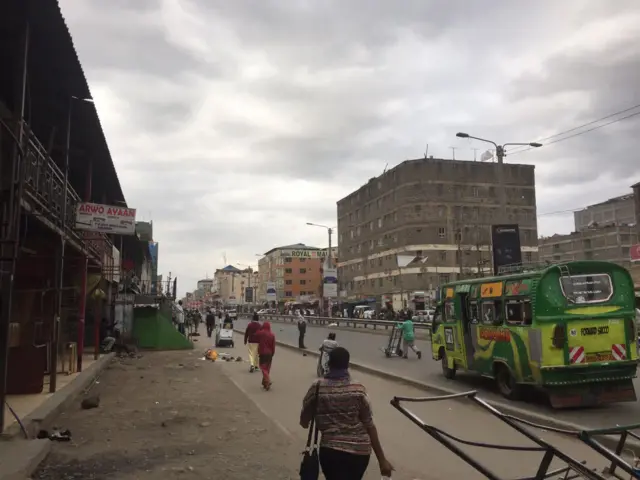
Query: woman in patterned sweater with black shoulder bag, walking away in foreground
[(344, 418)]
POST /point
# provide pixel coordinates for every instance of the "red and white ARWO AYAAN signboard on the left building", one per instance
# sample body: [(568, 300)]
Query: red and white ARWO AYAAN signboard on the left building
[(95, 217)]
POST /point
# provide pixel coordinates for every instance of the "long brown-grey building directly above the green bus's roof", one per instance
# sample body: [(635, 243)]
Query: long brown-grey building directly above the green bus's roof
[(609, 243)]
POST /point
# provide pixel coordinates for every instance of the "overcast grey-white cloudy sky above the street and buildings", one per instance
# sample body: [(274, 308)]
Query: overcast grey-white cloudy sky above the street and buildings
[(232, 123)]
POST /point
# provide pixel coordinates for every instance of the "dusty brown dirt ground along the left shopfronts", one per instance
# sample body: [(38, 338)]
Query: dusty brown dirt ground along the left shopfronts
[(170, 415)]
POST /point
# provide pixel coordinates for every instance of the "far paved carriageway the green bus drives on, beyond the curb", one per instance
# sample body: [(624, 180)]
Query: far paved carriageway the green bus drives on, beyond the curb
[(366, 348)]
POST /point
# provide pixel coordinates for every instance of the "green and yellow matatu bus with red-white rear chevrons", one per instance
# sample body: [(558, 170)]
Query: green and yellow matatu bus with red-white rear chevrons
[(568, 329)]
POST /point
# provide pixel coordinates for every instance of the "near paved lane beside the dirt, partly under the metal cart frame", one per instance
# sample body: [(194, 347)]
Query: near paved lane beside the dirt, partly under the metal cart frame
[(414, 454)]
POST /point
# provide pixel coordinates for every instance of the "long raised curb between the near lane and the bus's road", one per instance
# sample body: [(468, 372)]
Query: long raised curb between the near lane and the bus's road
[(519, 412)]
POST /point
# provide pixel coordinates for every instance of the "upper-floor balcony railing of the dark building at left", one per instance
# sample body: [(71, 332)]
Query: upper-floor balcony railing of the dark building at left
[(44, 184)]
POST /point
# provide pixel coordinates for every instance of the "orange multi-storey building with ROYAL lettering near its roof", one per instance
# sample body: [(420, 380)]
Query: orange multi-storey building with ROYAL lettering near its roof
[(296, 271)]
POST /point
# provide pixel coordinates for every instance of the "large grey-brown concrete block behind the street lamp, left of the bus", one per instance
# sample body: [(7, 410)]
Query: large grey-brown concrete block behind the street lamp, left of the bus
[(438, 210)]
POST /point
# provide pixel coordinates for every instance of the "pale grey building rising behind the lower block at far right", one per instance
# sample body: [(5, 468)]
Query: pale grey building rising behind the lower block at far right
[(615, 211)]
